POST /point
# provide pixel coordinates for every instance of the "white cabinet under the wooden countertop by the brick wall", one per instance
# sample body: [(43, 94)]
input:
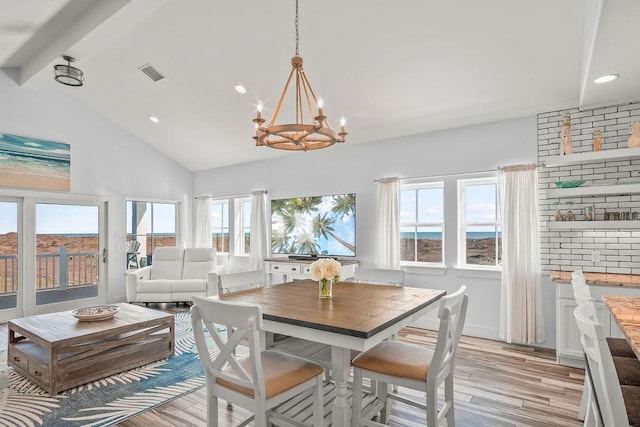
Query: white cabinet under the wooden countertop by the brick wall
[(568, 346)]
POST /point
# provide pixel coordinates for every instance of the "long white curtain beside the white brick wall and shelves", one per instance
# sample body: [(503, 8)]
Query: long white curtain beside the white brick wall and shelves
[(521, 317)]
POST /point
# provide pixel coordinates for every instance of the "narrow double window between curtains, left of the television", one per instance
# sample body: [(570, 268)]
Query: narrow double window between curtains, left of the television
[(231, 225)]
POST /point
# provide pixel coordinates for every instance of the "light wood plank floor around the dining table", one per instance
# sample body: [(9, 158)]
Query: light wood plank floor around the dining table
[(496, 385)]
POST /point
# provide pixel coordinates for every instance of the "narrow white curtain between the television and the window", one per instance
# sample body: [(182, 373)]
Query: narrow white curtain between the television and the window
[(388, 224)]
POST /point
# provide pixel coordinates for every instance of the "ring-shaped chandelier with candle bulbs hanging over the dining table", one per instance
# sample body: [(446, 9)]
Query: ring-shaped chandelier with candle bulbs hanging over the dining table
[(298, 136)]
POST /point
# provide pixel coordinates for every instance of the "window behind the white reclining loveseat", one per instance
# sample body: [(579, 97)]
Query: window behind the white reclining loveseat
[(153, 224)]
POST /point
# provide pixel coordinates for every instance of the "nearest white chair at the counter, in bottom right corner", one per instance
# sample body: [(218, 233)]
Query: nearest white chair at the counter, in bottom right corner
[(616, 405)]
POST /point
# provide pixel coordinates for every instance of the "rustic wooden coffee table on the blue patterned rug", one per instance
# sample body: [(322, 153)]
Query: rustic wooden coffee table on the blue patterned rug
[(57, 351)]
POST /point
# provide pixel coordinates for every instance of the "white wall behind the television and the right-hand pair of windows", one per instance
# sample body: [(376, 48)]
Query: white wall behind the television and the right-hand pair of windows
[(352, 167)]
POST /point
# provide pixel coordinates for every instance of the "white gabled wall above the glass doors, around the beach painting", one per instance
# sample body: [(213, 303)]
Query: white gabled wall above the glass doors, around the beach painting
[(105, 160)]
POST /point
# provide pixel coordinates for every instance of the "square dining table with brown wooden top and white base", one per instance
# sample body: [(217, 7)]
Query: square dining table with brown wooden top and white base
[(357, 317)]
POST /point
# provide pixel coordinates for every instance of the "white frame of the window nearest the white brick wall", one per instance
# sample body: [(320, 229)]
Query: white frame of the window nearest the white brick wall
[(463, 225)]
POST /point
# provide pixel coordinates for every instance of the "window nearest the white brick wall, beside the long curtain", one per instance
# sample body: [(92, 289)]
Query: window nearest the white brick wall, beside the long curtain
[(480, 232)]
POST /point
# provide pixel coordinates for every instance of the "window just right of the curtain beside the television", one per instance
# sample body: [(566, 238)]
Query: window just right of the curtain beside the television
[(422, 223)]
